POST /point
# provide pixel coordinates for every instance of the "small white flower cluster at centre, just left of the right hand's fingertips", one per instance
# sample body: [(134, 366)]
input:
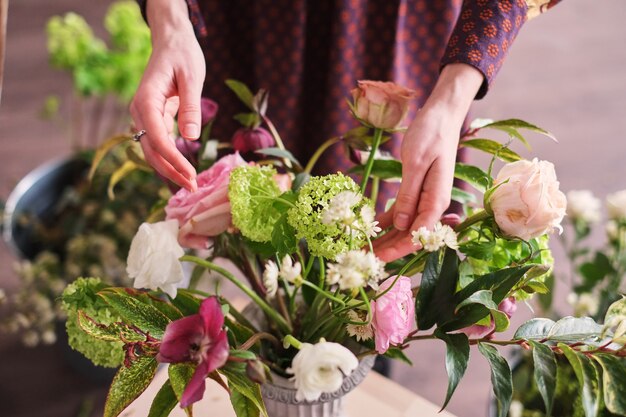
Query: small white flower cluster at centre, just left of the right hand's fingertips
[(354, 269)]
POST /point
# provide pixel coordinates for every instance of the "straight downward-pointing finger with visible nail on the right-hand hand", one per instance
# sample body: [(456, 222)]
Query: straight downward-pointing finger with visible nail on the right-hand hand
[(408, 197)]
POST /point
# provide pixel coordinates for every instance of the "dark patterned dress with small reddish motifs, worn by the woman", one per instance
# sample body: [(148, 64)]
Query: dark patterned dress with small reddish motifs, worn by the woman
[(310, 53)]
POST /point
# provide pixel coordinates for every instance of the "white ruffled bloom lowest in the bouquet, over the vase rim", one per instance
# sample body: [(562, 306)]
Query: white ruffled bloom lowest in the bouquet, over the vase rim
[(320, 368)]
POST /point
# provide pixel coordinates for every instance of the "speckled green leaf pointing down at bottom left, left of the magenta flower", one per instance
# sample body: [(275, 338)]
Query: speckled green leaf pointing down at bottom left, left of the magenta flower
[(128, 384)]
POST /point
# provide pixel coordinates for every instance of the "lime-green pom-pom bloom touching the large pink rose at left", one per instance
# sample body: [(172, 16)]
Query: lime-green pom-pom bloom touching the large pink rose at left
[(252, 192)]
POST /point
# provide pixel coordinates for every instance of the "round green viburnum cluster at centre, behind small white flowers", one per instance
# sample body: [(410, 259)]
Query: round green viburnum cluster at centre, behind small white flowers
[(327, 240)]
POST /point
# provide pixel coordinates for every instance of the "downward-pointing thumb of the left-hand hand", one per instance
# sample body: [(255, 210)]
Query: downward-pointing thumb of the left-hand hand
[(189, 113)]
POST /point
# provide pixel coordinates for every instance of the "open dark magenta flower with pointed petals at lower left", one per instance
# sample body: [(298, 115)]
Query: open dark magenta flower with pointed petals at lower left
[(199, 338)]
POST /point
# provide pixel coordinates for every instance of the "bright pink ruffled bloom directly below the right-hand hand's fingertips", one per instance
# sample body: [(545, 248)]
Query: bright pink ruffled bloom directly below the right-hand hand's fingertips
[(393, 313)]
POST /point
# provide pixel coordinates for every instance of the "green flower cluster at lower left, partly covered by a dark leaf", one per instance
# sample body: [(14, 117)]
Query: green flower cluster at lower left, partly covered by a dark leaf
[(81, 295)]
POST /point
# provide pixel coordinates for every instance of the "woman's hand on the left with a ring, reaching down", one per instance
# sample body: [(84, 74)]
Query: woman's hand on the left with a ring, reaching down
[(171, 83)]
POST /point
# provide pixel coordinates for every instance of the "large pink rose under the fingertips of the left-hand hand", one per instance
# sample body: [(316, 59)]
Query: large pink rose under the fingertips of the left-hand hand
[(205, 212)]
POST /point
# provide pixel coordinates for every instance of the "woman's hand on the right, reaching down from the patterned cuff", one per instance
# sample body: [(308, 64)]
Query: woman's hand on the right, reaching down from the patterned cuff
[(428, 156)]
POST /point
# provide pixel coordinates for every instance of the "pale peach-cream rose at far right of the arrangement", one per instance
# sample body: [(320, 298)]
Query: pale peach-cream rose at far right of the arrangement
[(529, 203)]
